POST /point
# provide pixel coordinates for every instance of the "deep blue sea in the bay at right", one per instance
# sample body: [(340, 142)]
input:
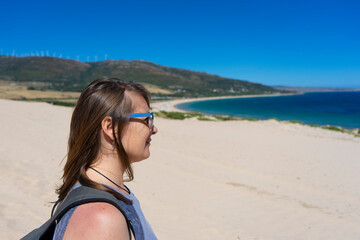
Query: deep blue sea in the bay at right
[(320, 108)]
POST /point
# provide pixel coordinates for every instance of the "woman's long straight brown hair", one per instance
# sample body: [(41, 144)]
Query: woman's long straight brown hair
[(103, 97)]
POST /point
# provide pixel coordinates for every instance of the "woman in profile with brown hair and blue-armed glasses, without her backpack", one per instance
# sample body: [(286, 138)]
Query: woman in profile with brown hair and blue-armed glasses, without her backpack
[(111, 128)]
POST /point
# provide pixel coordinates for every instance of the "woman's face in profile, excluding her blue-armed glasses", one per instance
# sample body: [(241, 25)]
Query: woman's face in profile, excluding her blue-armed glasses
[(136, 136)]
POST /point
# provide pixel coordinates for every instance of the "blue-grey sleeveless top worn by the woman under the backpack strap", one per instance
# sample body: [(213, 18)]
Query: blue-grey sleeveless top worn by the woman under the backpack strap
[(141, 228)]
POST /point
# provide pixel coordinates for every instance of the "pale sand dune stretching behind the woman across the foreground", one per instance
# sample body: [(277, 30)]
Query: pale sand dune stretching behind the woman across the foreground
[(204, 180)]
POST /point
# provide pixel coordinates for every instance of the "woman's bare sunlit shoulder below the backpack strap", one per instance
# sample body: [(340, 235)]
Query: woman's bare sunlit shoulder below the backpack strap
[(91, 220)]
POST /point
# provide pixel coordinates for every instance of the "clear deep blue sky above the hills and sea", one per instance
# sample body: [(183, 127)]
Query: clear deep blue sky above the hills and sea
[(293, 43)]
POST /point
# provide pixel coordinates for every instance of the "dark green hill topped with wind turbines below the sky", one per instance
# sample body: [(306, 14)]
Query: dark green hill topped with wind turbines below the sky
[(71, 75)]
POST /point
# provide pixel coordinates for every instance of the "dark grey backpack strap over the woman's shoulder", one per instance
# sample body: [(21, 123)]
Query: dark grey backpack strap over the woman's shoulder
[(77, 196)]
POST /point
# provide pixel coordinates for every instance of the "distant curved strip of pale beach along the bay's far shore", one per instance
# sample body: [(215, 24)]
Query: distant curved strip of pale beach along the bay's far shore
[(171, 105)]
